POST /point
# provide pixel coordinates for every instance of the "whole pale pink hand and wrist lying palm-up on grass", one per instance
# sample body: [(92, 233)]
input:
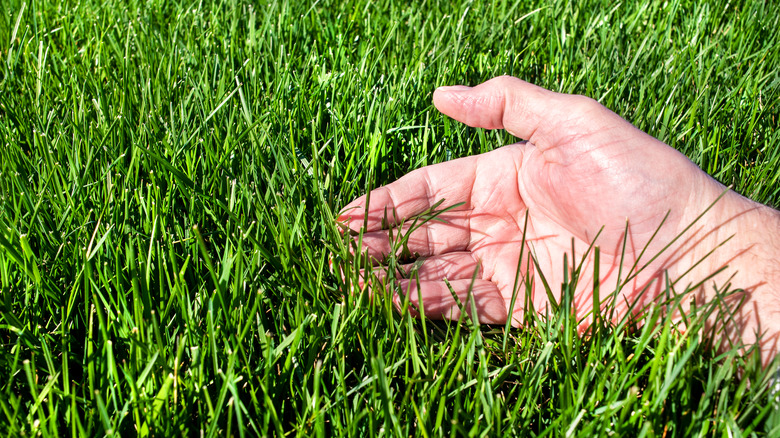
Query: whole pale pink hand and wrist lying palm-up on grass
[(582, 172)]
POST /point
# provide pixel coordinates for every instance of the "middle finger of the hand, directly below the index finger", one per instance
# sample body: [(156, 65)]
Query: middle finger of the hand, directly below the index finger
[(450, 232)]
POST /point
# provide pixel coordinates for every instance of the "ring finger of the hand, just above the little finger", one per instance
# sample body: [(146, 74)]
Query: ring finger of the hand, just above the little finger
[(452, 266)]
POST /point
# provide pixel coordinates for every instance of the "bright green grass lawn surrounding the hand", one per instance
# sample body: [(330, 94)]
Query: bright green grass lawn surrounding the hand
[(169, 174)]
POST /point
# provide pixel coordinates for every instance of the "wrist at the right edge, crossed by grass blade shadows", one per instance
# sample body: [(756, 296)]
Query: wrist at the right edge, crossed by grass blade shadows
[(737, 248)]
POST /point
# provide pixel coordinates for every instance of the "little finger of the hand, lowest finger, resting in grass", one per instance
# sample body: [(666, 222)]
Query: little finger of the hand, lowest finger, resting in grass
[(435, 300)]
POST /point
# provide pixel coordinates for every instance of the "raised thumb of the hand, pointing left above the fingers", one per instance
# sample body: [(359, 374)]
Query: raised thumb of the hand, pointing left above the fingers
[(523, 109)]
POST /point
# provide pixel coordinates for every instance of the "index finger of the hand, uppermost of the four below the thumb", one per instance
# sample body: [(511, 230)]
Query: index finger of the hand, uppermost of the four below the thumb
[(413, 194)]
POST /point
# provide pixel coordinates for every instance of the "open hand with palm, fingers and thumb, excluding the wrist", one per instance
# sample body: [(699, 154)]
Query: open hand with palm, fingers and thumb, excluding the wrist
[(586, 173)]
